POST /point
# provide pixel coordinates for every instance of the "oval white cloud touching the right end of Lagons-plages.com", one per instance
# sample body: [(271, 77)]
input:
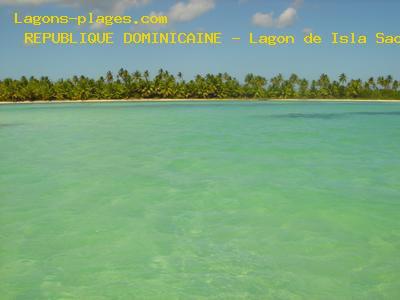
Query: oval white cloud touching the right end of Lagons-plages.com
[(183, 12)]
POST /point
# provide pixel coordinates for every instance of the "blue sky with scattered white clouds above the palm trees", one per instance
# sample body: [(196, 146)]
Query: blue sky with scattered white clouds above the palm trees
[(234, 18)]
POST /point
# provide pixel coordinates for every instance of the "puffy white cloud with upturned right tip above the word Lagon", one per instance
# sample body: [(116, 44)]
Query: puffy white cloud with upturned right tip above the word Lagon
[(285, 19)]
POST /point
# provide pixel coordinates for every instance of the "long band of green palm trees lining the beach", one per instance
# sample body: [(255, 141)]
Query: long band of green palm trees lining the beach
[(165, 85)]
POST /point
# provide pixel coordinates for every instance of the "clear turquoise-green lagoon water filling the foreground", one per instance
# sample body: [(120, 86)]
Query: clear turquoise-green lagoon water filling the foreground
[(200, 201)]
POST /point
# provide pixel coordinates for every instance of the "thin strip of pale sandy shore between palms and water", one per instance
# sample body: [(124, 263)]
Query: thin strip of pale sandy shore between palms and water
[(199, 100)]
